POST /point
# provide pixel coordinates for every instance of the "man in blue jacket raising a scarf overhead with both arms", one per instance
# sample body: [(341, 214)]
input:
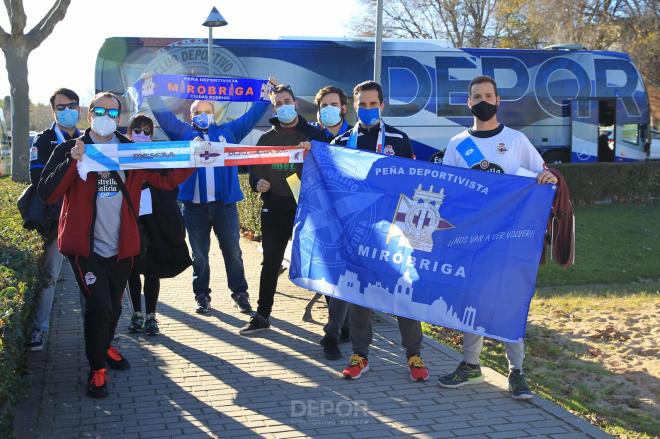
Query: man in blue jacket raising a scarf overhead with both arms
[(210, 195)]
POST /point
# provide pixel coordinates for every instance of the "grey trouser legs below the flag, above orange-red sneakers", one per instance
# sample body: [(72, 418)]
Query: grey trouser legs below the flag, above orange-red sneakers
[(362, 331)]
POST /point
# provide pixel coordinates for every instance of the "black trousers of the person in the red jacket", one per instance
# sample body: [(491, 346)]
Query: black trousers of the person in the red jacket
[(102, 281)]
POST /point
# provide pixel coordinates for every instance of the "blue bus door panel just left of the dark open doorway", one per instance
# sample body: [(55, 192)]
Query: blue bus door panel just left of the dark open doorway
[(584, 131)]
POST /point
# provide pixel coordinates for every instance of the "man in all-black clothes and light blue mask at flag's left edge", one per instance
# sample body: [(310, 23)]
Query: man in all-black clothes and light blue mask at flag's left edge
[(279, 205)]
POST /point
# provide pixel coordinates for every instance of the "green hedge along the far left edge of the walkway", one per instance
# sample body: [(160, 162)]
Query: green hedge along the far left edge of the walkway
[(20, 254)]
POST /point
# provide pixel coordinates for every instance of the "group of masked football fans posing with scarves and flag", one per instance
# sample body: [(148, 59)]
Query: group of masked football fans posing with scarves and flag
[(110, 245)]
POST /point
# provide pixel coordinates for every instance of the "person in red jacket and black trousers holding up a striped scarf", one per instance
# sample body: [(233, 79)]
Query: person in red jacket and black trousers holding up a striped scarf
[(98, 230)]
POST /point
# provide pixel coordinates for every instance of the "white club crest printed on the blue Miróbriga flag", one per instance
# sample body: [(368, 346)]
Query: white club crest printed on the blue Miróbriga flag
[(417, 218)]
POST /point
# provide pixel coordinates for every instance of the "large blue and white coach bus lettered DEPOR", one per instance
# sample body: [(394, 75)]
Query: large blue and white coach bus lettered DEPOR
[(574, 104)]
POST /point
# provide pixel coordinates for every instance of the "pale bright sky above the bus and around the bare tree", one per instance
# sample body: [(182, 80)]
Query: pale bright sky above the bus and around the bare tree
[(67, 57)]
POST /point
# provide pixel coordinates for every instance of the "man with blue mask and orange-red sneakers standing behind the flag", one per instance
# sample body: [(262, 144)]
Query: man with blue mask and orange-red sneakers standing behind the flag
[(372, 134)]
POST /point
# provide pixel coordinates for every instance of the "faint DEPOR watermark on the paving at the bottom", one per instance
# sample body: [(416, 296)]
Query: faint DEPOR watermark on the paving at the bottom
[(329, 412)]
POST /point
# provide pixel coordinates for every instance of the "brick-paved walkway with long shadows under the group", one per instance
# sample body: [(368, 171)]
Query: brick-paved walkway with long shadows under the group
[(200, 379)]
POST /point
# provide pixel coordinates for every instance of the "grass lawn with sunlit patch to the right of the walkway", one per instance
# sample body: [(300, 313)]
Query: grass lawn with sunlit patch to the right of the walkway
[(593, 344)]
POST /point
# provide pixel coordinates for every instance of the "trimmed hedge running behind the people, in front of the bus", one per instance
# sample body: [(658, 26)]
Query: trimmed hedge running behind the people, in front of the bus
[(588, 183)]
